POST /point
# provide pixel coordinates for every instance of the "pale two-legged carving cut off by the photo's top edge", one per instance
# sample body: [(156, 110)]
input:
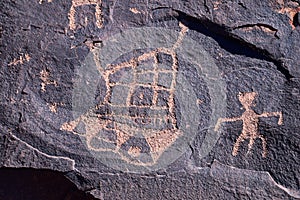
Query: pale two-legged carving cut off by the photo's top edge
[(76, 3)]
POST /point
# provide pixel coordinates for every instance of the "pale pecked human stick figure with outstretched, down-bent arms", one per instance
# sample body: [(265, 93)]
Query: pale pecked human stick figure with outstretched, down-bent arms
[(250, 123)]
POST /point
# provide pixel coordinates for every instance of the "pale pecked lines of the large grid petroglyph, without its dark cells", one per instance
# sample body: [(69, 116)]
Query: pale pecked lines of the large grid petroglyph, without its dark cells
[(156, 138)]
